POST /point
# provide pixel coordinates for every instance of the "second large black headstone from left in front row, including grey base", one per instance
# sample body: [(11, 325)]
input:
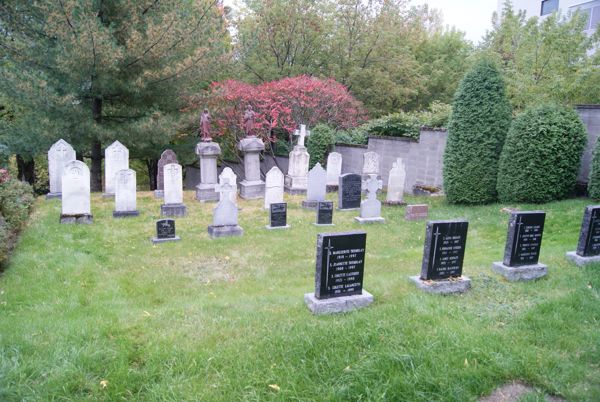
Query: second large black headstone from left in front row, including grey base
[(441, 270)]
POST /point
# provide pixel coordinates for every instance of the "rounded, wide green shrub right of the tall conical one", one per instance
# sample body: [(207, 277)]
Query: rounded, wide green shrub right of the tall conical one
[(541, 156)]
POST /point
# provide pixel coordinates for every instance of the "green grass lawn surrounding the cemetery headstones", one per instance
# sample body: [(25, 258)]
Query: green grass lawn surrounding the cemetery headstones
[(98, 313)]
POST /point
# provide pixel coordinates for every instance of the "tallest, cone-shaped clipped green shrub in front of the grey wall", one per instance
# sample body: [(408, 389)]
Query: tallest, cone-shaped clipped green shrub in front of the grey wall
[(480, 119)]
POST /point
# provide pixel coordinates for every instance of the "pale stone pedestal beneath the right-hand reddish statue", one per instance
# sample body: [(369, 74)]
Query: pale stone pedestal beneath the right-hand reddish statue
[(252, 186)]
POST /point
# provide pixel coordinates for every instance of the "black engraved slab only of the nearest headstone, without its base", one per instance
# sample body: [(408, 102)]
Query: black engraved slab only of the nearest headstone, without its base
[(340, 264)]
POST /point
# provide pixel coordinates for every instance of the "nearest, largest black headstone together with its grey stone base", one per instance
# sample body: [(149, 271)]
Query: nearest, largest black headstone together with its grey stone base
[(339, 274)]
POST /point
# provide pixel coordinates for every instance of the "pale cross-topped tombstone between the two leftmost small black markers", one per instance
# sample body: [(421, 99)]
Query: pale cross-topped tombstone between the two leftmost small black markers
[(225, 214)]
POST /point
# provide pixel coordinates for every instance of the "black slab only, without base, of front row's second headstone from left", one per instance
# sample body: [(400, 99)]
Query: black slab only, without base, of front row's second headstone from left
[(444, 251)]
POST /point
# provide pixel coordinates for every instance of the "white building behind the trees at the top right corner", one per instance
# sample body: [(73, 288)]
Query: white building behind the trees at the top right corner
[(540, 8)]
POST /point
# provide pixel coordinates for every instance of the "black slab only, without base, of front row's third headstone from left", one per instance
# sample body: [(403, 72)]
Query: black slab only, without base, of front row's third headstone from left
[(524, 238)]
